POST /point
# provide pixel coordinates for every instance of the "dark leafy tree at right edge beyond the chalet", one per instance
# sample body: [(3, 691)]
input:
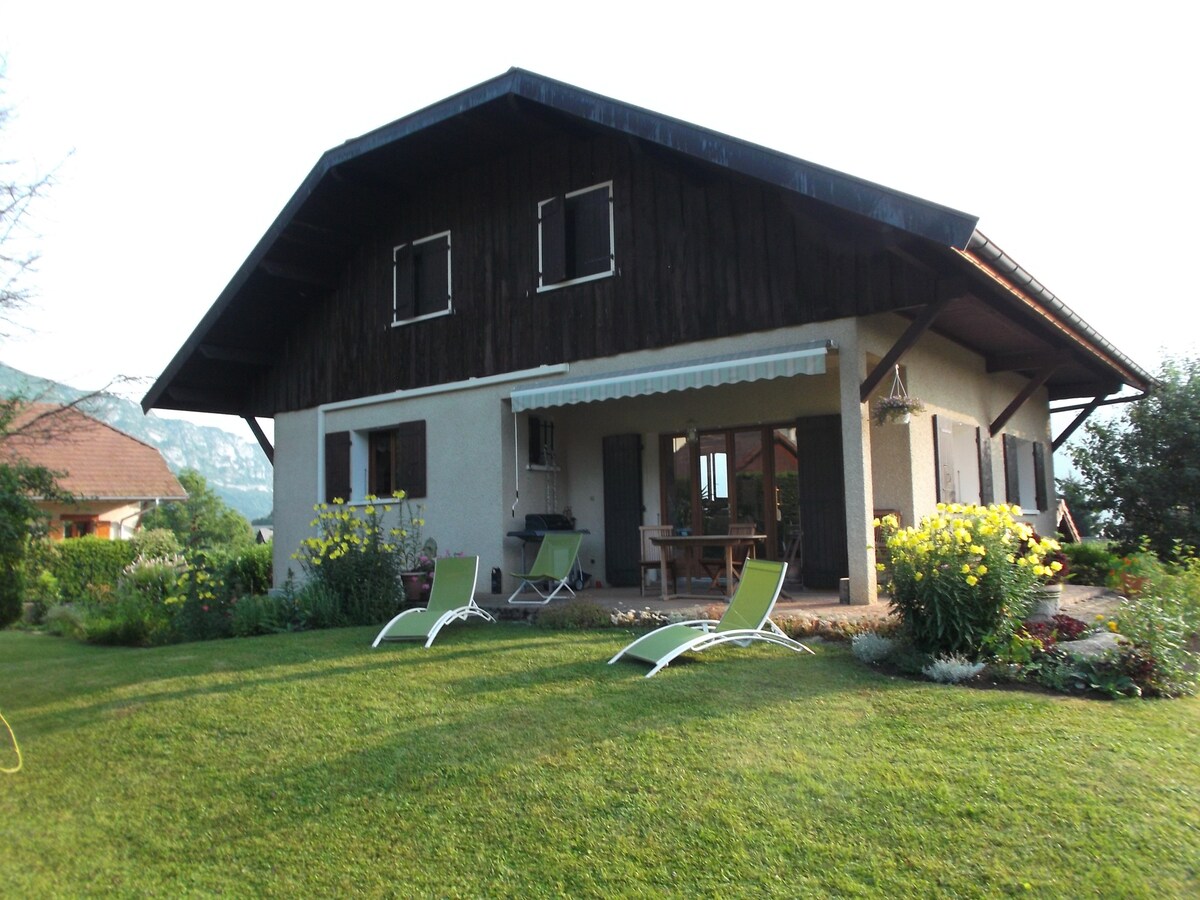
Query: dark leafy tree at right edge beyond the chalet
[(1144, 467)]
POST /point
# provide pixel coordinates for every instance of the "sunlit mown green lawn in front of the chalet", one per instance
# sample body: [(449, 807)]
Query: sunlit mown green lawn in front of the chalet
[(513, 761)]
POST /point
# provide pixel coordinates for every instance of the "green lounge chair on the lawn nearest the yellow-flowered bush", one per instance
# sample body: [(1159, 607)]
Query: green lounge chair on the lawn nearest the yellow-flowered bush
[(748, 619)]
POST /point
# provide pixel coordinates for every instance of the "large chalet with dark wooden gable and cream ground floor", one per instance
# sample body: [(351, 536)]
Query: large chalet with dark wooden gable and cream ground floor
[(529, 298)]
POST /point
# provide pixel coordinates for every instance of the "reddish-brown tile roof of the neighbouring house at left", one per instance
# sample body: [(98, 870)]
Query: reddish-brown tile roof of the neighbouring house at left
[(99, 460)]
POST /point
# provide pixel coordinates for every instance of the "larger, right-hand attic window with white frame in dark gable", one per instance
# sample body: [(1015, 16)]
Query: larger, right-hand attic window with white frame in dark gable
[(575, 237)]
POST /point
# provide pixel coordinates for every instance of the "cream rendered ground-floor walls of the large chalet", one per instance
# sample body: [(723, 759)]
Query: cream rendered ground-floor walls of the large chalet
[(478, 453)]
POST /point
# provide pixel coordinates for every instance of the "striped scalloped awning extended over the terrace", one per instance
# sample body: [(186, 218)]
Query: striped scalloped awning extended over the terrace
[(757, 367)]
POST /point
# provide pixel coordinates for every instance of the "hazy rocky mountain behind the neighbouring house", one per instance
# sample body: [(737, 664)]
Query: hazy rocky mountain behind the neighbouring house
[(236, 469)]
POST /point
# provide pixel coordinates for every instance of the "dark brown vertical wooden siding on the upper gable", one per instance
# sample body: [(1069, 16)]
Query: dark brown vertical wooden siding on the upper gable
[(700, 255)]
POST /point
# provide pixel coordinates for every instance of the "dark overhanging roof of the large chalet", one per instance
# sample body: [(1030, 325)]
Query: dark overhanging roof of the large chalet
[(317, 231)]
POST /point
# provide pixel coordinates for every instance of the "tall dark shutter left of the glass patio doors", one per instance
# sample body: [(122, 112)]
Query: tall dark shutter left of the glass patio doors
[(622, 457)]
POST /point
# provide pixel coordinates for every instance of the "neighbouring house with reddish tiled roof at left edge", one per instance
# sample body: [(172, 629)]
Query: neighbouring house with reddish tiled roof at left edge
[(116, 478)]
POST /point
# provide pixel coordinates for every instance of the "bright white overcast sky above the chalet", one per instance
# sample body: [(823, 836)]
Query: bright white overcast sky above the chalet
[(177, 134)]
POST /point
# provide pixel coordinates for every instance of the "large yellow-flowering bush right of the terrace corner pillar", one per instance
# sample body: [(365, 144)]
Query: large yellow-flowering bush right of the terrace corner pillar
[(962, 579)]
